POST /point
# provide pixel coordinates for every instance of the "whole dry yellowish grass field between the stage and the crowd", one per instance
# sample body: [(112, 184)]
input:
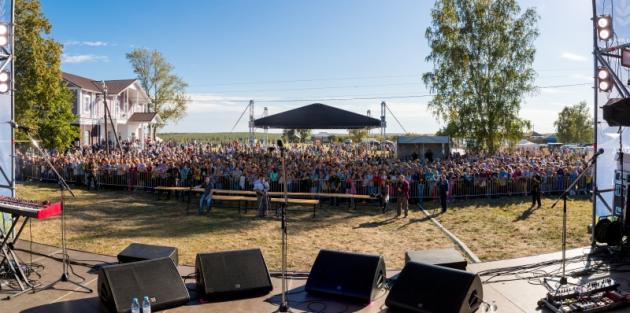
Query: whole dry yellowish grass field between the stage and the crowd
[(107, 221)]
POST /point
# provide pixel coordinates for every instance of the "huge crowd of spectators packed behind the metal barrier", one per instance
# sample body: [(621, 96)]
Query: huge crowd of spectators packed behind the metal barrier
[(334, 168)]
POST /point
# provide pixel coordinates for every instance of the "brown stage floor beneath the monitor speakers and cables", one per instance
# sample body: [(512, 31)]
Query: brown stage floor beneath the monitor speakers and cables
[(510, 296)]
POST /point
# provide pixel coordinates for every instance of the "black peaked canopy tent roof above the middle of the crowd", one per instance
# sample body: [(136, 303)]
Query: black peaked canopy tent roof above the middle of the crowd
[(317, 116)]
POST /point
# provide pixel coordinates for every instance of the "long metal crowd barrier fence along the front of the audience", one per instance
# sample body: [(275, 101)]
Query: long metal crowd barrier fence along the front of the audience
[(461, 188)]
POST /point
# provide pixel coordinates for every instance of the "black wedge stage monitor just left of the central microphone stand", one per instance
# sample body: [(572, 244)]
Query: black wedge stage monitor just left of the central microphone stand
[(232, 274)]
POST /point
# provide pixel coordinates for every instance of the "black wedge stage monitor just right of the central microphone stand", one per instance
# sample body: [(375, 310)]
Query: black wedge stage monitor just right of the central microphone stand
[(349, 275)]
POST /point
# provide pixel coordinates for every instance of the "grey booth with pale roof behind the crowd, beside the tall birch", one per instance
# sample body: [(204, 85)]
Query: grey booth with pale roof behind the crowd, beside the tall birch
[(409, 147)]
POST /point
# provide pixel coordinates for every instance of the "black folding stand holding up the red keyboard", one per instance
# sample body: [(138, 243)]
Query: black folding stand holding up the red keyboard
[(11, 259)]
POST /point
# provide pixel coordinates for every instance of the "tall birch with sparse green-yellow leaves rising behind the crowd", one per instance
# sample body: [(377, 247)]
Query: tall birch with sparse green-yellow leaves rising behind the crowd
[(482, 53)]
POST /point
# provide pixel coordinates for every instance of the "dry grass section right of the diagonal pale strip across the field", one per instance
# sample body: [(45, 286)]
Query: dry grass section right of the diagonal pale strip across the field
[(507, 227)]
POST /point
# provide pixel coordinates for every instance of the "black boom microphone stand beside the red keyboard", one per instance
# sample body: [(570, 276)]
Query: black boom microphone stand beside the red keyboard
[(63, 186)]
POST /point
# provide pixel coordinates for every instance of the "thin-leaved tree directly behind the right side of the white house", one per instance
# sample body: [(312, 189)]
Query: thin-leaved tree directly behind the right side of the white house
[(166, 91)]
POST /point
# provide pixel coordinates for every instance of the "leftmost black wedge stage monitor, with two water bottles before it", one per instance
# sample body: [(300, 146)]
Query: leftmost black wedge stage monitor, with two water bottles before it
[(157, 279)]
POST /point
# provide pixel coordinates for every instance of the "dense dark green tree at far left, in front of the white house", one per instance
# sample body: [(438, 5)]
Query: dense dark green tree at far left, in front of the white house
[(42, 100)]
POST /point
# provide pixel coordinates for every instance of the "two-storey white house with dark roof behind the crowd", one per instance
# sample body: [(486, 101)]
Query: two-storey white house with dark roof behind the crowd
[(127, 102)]
